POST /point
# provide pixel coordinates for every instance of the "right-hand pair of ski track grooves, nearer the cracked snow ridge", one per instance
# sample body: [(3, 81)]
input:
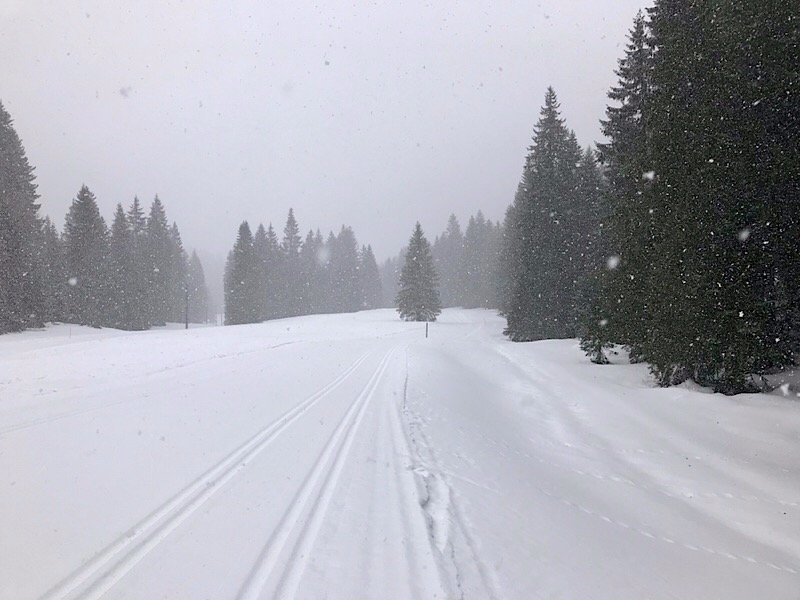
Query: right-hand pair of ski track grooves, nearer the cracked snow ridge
[(267, 561)]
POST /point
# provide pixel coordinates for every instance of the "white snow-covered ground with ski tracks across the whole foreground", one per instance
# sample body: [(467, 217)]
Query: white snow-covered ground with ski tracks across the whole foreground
[(349, 457)]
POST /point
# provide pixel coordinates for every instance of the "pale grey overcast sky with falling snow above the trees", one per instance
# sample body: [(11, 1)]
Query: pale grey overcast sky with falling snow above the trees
[(370, 114)]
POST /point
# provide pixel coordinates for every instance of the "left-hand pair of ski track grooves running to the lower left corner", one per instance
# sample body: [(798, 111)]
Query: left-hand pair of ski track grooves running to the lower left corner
[(160, 523)]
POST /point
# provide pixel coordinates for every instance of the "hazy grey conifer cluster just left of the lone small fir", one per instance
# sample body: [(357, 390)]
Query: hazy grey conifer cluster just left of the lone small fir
[(270, 278)]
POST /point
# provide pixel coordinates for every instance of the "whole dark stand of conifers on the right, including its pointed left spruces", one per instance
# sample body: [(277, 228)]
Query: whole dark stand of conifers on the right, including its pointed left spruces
[(680, 242)]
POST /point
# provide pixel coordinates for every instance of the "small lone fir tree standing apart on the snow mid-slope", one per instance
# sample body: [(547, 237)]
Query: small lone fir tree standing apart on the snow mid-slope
[(418, 298)]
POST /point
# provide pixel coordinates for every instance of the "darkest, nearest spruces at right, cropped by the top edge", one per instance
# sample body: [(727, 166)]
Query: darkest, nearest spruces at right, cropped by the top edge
[(701, 185)]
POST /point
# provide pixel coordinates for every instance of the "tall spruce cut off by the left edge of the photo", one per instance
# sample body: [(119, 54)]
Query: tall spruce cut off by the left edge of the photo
[(22, 302)]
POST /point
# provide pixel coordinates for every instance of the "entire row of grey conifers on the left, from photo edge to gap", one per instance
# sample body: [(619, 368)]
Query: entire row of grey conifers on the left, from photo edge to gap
[(133, 276)]
